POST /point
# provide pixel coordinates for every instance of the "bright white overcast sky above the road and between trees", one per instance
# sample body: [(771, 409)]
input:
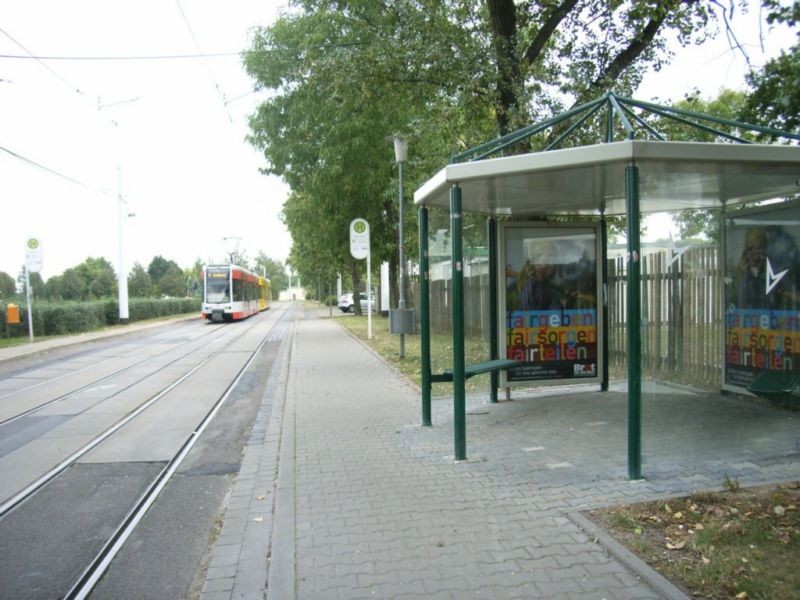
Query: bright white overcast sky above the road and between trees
[(170, 132)]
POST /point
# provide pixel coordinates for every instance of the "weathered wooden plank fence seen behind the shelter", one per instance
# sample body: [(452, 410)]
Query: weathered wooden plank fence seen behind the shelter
[(682, 320)]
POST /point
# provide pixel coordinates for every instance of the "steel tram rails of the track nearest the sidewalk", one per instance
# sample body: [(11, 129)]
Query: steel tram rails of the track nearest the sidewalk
[(94, 571)]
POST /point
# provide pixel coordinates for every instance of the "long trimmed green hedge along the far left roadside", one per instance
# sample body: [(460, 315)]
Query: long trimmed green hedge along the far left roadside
[(58, 318)]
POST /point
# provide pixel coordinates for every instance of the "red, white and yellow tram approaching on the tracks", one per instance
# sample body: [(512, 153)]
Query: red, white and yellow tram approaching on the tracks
[(232, 293)]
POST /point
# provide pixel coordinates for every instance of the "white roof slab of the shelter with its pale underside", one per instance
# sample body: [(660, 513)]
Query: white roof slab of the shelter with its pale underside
[(591, 179)]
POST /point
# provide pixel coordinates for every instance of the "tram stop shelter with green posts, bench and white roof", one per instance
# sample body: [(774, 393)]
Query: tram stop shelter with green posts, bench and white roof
[(629, 178)]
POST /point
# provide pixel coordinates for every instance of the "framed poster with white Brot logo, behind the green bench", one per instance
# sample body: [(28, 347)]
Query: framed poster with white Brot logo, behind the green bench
[(551, 313)]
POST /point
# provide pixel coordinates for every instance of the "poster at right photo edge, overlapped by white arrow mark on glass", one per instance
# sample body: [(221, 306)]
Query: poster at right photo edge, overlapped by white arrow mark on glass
[(762, 273)]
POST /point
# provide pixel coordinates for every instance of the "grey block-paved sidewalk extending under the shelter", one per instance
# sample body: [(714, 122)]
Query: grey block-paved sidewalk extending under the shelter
[(368, 504)]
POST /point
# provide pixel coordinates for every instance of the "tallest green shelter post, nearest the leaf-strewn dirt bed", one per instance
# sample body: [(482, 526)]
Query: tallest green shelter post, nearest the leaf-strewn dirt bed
[(634, 326)]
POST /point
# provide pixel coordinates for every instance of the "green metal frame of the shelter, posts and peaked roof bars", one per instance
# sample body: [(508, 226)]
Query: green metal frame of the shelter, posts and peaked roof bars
[(618, 110)]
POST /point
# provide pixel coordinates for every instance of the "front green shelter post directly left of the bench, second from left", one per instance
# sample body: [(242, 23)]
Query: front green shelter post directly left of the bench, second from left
[(457, 258)]
